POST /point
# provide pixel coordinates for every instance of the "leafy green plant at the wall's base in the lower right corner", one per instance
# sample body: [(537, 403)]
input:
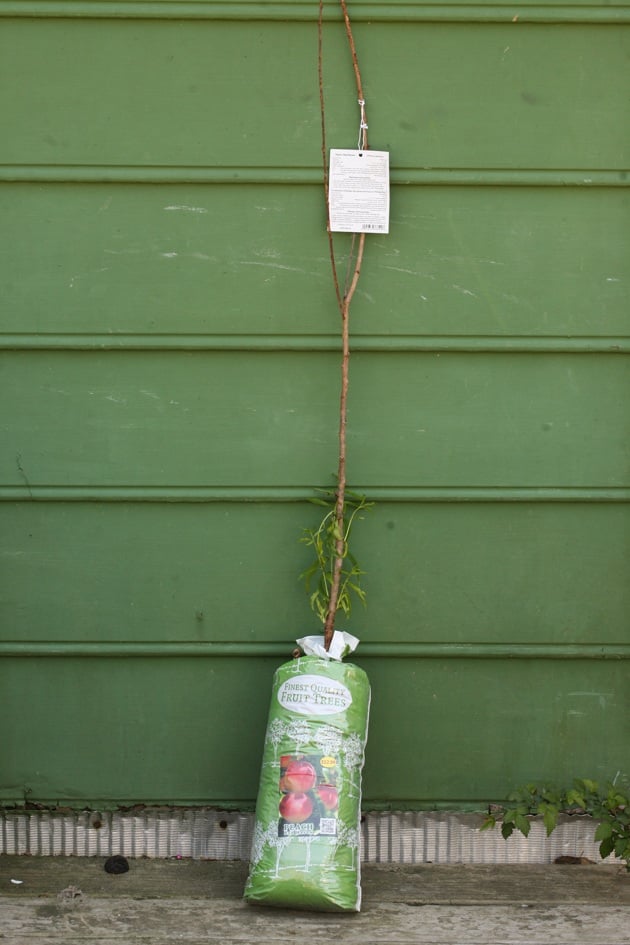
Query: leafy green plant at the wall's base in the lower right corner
[(608, 805)]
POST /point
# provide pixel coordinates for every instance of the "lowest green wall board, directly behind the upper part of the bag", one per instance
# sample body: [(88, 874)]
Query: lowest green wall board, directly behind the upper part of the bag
[(146, 730)]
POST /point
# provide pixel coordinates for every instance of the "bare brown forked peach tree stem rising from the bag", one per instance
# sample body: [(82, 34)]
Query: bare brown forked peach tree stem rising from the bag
[(344, 308)]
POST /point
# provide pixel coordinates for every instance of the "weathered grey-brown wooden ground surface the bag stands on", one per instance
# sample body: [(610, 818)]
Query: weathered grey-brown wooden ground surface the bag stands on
[(161, 902)]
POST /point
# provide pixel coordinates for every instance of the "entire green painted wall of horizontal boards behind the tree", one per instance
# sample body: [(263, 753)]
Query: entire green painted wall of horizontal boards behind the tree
[(169, 371)]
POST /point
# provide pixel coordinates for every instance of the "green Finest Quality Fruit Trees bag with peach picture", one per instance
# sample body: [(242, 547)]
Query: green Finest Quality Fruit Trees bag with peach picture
[(306, 844)]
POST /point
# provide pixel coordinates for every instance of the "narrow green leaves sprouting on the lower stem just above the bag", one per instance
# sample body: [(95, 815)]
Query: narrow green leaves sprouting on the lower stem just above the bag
[(330, 542)]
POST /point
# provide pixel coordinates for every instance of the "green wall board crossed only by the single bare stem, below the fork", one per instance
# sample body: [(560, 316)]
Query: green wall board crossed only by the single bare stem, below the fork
[(203, 418)]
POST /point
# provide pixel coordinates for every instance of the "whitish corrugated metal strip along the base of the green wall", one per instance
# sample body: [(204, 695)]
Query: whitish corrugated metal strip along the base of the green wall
[(200, 833)]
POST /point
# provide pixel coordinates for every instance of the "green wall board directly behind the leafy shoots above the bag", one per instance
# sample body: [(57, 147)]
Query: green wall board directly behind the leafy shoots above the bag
[(441, 580)]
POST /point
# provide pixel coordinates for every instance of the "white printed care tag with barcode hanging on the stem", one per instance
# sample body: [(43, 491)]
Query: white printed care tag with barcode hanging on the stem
[(358, 191)]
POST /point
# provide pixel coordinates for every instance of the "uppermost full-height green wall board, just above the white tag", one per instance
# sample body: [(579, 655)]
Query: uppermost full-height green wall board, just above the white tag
[(198, 99)]
